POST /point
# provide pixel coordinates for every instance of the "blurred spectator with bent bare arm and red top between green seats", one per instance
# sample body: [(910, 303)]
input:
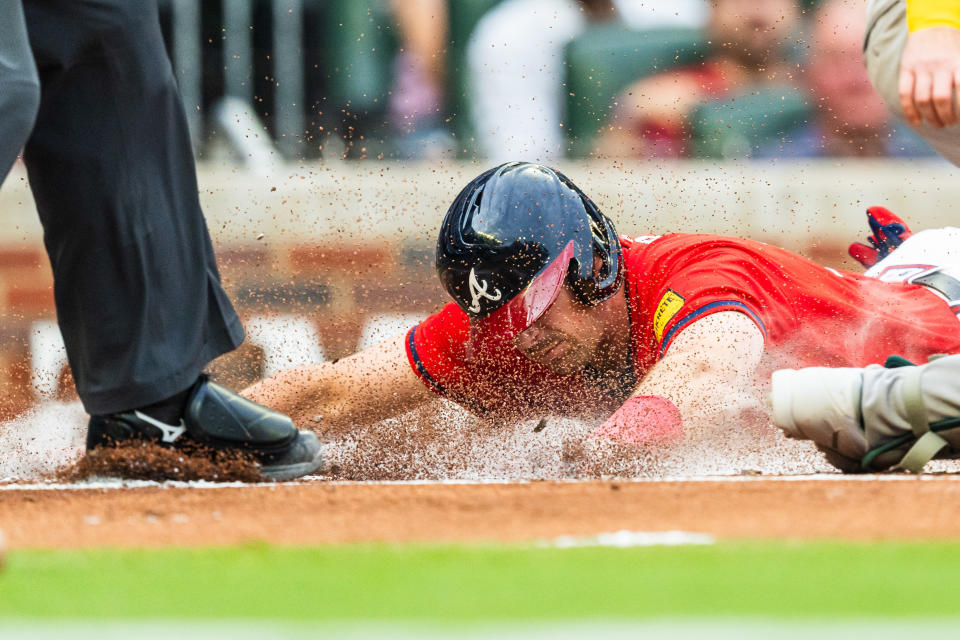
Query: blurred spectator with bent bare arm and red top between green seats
[(751, 47)]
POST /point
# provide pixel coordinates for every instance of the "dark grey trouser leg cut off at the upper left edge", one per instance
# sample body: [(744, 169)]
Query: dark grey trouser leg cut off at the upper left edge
[(19, 85)]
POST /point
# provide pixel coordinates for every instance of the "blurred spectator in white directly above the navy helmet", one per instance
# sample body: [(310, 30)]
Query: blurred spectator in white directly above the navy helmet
[(516, 71)]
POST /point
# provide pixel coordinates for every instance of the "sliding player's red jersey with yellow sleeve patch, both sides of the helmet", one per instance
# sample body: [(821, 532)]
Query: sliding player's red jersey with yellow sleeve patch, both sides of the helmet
[(810, 316)]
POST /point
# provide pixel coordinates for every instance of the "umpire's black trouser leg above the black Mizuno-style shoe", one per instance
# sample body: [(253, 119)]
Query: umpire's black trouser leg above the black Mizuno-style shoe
[(137, 289)]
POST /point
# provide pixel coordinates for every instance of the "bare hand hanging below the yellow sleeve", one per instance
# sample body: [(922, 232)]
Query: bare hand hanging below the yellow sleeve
[(929, 73)]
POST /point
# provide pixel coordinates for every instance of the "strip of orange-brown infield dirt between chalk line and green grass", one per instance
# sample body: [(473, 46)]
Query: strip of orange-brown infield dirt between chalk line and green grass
[(324, 512)]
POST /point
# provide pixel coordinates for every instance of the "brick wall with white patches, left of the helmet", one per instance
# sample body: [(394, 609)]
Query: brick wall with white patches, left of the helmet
[(298, 303)]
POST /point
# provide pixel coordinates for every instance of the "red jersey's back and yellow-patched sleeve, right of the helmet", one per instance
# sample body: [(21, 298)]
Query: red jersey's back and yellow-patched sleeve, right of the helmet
[(809, 315)]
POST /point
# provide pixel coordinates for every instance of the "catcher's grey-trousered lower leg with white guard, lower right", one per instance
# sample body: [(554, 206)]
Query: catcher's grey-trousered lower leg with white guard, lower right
[(873, 418)]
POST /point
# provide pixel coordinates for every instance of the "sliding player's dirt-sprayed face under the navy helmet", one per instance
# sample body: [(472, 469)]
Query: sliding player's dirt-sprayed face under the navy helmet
[(564, 339)]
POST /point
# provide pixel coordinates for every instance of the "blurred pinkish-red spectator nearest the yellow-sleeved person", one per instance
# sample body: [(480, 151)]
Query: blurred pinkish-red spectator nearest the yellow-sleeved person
[(850, 118)]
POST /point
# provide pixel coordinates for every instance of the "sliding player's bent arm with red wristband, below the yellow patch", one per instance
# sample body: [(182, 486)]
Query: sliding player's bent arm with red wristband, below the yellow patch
[(710, 363)]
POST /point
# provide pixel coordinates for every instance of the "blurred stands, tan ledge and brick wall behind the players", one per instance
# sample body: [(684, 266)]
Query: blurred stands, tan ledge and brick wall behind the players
[(332, 134)]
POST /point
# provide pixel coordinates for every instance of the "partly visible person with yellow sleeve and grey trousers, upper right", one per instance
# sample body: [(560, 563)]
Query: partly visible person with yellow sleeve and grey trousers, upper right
[(912, 53)]
